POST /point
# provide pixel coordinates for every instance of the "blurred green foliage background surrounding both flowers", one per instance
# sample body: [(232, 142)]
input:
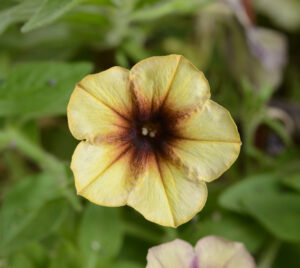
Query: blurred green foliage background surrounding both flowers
[(47, 46)]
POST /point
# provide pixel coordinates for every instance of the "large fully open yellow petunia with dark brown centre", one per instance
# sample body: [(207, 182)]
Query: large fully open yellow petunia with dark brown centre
[(150, 138)]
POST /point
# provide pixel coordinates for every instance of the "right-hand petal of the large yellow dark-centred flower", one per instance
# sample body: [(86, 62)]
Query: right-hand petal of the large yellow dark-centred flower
[(208, 142)]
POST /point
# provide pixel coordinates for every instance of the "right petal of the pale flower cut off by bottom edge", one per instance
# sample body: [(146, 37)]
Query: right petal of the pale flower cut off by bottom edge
[(217, 252)]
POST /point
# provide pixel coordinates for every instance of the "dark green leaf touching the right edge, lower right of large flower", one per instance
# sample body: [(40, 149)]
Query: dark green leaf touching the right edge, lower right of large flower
[(279, 213)]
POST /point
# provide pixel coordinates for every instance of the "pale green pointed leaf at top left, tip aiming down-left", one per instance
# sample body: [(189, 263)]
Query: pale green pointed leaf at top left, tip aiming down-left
[(49, 11)]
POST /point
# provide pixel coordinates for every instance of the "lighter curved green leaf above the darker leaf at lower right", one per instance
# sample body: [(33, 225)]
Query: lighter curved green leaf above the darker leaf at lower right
[(255, 185)]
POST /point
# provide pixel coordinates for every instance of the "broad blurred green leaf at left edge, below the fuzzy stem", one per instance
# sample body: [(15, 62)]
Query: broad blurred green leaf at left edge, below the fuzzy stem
[(30, 212)]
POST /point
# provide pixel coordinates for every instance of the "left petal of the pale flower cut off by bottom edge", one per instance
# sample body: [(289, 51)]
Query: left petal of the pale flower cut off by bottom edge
[(175, 254)]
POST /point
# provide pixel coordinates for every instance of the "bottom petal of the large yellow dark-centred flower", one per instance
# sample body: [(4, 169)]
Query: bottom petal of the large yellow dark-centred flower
[(165, 195)]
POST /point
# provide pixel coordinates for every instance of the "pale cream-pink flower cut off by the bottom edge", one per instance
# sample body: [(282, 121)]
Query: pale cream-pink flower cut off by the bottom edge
[(210, 252)]
